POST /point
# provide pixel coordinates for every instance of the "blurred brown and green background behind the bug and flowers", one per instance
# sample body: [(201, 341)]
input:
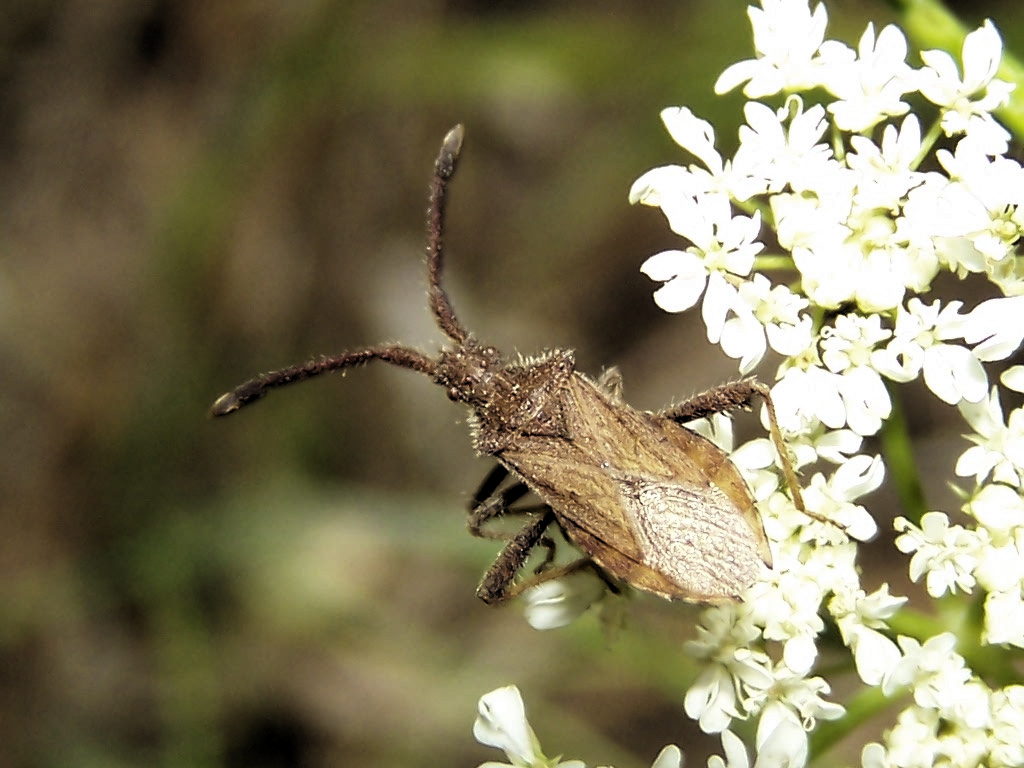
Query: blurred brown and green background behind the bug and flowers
[(193, 192)]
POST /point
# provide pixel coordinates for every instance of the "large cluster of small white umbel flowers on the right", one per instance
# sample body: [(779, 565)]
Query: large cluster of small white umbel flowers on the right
[(819, 241)]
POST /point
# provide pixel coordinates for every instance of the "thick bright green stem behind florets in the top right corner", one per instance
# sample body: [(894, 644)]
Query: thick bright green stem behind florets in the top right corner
[(930, 25)]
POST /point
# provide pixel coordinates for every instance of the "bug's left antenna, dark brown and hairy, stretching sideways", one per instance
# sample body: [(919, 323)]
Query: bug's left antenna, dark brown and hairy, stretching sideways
[(259, 387)]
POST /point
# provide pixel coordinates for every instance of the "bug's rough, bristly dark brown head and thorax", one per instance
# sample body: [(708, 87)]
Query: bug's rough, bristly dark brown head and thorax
[(508, 399)]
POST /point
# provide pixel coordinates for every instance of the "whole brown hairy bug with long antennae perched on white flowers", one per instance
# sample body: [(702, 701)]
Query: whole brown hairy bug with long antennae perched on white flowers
[(651, 502)]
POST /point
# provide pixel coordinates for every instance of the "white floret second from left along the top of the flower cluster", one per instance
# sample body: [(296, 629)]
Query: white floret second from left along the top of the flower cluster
[(872, 89)]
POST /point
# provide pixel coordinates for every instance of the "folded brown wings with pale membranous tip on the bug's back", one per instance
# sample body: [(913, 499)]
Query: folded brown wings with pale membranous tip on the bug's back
[(653, 503)]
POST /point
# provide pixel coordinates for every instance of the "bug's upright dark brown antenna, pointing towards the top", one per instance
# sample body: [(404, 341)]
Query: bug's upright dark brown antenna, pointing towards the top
[(444, 170)]
